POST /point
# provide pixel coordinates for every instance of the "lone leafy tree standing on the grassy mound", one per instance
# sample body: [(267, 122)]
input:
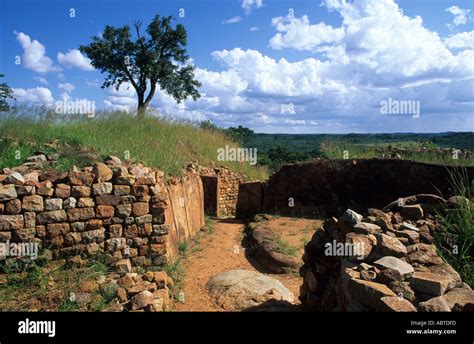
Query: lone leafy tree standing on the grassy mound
[(160, 58)]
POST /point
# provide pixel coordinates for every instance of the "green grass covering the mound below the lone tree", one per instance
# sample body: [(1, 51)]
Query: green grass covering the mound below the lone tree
[(155, 142)]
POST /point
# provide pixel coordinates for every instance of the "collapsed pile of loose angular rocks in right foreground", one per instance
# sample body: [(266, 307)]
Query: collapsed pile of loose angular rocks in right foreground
[(384, 261)]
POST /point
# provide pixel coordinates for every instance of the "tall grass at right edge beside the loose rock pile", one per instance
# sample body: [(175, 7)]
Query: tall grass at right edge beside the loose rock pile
[(455, 238)]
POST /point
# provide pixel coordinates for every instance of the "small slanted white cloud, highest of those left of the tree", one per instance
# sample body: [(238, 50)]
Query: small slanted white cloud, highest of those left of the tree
[(34, 55)]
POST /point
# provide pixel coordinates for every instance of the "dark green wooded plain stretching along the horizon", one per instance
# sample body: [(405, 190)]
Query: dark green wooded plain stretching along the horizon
[(275, 150)]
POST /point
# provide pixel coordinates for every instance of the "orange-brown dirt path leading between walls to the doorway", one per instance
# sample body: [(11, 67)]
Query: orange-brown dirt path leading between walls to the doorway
[(213, 253)]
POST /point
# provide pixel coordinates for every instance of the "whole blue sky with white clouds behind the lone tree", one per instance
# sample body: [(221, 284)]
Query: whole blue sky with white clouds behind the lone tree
[(324, 67)]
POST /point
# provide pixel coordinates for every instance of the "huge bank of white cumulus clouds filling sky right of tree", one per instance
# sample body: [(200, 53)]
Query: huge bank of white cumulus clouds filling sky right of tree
[(377, 52)]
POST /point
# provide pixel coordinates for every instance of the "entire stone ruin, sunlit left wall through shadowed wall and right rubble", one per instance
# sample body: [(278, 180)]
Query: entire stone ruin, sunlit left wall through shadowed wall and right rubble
[(135, 217)]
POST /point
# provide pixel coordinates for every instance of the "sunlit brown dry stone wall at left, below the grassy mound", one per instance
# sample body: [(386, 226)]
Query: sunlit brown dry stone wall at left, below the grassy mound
[(129, 213)]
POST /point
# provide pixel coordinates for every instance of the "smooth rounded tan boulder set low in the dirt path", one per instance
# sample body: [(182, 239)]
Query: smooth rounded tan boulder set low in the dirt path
[(241, 289)]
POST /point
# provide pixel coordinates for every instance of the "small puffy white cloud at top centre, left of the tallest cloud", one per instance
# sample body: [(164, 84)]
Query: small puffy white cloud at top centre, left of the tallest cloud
[(299, 34)]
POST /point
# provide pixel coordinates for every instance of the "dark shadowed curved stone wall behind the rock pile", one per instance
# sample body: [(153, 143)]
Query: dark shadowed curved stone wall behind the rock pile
[(331, 186)]
